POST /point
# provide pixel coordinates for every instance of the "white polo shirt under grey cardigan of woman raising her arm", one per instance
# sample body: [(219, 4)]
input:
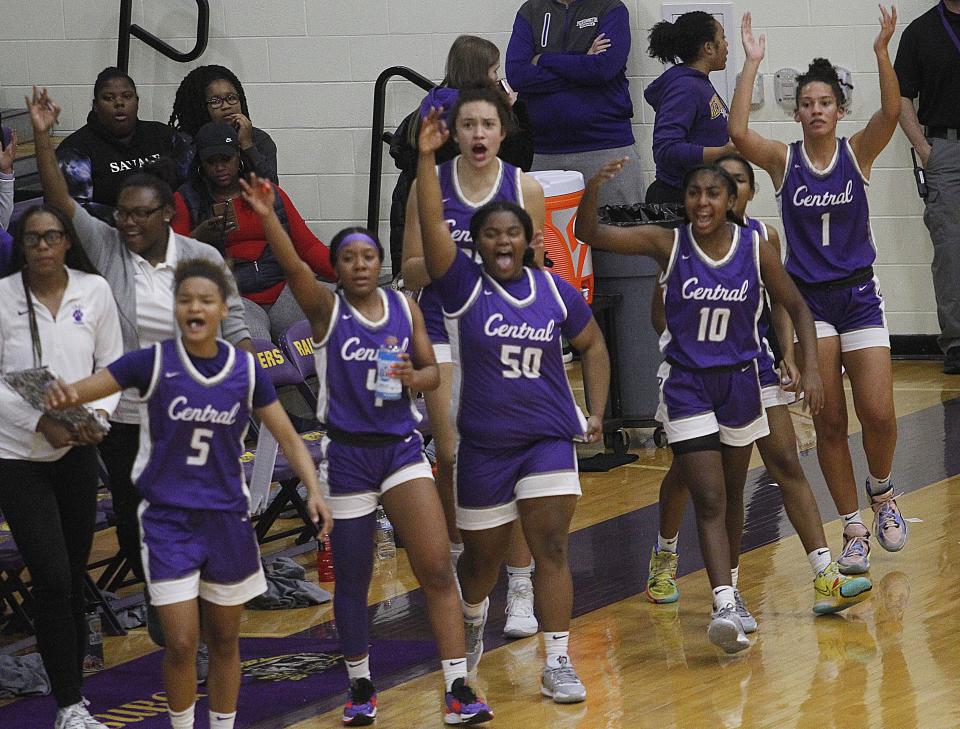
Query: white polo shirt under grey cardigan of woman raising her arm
[(155, 317)]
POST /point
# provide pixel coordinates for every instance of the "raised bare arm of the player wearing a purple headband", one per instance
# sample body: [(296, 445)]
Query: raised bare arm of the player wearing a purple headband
[(315, 300)]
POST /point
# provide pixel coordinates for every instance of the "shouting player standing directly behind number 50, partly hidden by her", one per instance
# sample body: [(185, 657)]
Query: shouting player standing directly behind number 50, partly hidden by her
[(477, 176)]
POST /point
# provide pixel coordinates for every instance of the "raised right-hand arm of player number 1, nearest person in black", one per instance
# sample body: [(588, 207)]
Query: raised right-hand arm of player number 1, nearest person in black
[(870, 141)]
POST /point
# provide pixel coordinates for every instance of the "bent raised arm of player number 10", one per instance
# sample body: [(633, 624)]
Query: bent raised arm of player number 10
[(641, 240)]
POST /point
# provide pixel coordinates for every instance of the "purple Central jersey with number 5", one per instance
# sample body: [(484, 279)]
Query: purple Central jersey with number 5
[(192, 430)]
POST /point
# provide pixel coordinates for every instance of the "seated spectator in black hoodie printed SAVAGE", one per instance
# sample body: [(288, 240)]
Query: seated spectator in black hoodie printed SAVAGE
[(113, 144)]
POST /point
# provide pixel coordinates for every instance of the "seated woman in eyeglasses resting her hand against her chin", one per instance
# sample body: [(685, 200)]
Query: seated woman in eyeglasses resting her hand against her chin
[(214, 93)]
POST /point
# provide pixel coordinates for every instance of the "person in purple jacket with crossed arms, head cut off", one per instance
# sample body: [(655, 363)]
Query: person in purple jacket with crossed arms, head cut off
[(567, 59)]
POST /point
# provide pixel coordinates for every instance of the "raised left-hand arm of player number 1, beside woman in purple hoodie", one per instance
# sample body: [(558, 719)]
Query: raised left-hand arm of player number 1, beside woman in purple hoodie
[(769, 154)]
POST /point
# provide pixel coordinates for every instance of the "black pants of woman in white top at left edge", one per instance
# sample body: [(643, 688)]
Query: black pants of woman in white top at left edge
[(51, 509)]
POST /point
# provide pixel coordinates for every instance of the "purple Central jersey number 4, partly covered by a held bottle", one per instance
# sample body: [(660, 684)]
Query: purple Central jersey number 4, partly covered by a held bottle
[(346, 362)]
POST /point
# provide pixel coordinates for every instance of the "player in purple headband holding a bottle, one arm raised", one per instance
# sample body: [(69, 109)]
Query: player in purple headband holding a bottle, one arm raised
[(372, 452)]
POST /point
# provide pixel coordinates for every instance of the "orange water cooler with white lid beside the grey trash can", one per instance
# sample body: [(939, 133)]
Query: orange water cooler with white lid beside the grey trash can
[(572, 259)]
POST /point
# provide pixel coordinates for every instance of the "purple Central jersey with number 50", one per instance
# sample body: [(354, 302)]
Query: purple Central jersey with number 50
[(509, 381)]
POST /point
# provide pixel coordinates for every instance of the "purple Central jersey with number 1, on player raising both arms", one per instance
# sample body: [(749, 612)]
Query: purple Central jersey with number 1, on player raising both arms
[(826, 219)]
